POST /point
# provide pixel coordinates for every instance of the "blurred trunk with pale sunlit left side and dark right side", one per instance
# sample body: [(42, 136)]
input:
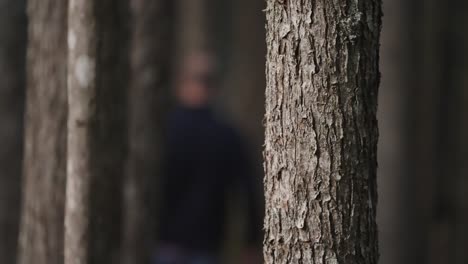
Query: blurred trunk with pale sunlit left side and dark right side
[(96, 129)]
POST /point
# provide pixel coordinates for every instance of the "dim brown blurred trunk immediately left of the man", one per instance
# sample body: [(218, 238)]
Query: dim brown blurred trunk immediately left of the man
[(150, 49)]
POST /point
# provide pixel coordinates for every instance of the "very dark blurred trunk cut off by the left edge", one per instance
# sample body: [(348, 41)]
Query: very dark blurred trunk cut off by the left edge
[(12, 91)]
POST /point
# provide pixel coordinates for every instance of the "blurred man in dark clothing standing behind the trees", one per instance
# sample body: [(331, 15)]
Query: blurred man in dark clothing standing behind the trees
[(204, 160)]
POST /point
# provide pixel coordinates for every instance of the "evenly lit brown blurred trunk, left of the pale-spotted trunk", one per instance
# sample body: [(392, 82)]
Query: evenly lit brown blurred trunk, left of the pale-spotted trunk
[(41, 228)]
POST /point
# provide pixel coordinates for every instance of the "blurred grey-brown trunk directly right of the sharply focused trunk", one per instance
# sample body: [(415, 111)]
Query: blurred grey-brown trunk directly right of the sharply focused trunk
[(392, 160)]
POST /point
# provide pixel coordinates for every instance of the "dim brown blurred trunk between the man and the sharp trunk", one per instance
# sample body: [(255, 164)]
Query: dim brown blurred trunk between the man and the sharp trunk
[(245, 79)]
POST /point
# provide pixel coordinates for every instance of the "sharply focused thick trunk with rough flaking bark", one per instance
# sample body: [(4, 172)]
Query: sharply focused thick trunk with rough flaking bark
[(321, 131)]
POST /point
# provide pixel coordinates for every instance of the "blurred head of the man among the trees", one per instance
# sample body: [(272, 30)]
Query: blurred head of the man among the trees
[(196, 80)]
